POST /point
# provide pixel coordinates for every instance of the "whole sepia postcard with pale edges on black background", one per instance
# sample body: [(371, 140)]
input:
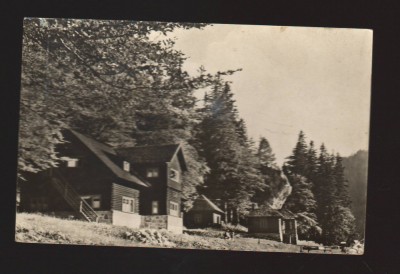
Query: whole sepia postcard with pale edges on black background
[(190, 135)]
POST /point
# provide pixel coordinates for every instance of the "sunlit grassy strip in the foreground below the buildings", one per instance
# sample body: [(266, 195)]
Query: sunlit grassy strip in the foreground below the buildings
[(34, 228)]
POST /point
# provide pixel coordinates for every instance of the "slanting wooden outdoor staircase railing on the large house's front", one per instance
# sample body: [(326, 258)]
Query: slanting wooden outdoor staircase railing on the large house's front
[(72, 197)]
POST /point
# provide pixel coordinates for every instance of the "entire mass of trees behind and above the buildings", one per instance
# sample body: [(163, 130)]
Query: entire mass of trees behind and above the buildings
[(110, 80)]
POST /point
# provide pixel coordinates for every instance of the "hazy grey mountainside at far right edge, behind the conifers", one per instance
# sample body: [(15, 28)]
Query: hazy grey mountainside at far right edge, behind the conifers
[(356, 169)]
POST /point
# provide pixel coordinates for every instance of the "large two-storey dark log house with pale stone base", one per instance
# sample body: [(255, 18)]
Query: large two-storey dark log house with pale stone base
[(135, 187)]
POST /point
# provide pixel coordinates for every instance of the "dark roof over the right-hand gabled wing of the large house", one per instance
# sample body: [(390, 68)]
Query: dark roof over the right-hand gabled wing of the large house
[(153, 154)]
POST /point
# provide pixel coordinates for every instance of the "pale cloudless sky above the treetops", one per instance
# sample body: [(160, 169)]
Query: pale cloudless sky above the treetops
[(294, 78)]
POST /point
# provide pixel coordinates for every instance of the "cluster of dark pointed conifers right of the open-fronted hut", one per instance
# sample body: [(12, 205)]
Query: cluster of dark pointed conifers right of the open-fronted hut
[(320, 194)]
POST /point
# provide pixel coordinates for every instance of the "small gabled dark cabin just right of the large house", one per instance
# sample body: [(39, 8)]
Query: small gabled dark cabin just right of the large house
[(204, 213)]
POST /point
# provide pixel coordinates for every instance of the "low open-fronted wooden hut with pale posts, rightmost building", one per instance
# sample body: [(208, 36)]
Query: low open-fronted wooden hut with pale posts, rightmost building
[(275, 224)]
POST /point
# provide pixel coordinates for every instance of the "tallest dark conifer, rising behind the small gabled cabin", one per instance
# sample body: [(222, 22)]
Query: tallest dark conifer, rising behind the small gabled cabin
[(233, 176)]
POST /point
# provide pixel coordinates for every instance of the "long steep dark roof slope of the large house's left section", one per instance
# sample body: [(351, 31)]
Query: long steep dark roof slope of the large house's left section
[(101, 151)]
